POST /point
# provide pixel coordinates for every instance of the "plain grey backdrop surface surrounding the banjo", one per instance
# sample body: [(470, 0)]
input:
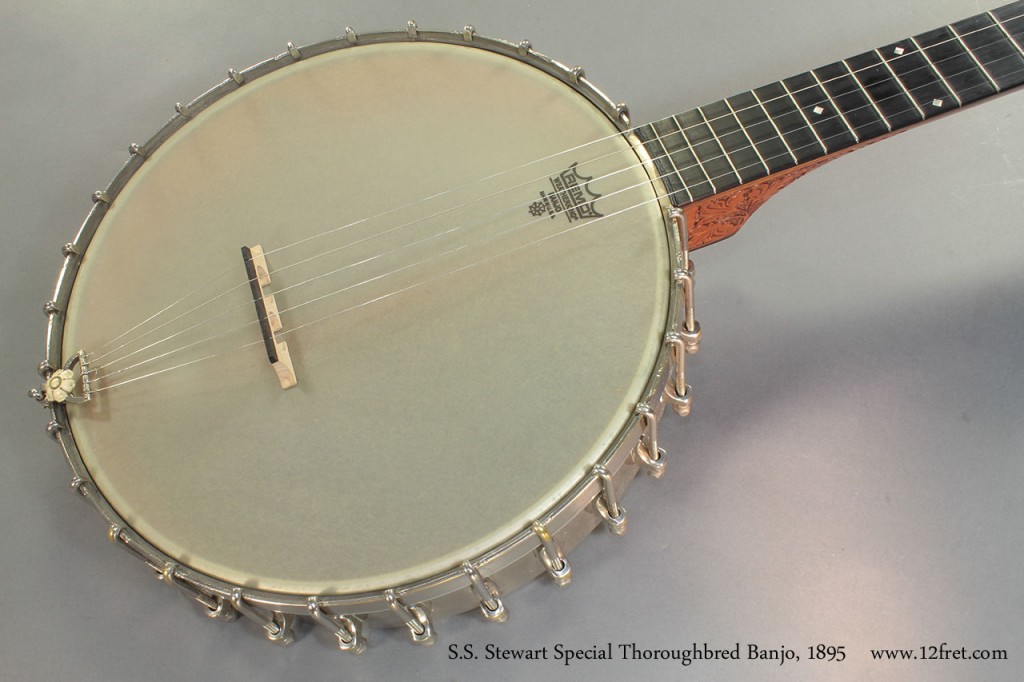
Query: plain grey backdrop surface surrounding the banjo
[(851, 475)]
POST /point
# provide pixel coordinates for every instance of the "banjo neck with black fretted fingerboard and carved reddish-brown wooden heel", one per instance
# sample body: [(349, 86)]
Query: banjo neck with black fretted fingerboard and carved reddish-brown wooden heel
[(722, 161)]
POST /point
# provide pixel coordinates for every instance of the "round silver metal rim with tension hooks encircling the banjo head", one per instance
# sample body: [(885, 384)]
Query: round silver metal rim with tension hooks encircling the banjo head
[(513, 563)]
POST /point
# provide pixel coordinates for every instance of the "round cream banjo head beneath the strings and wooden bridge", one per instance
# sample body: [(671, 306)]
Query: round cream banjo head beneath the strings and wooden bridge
[(463, 361)]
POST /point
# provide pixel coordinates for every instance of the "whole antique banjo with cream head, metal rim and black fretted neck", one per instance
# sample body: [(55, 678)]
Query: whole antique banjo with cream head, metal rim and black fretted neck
[(524, 316)]
